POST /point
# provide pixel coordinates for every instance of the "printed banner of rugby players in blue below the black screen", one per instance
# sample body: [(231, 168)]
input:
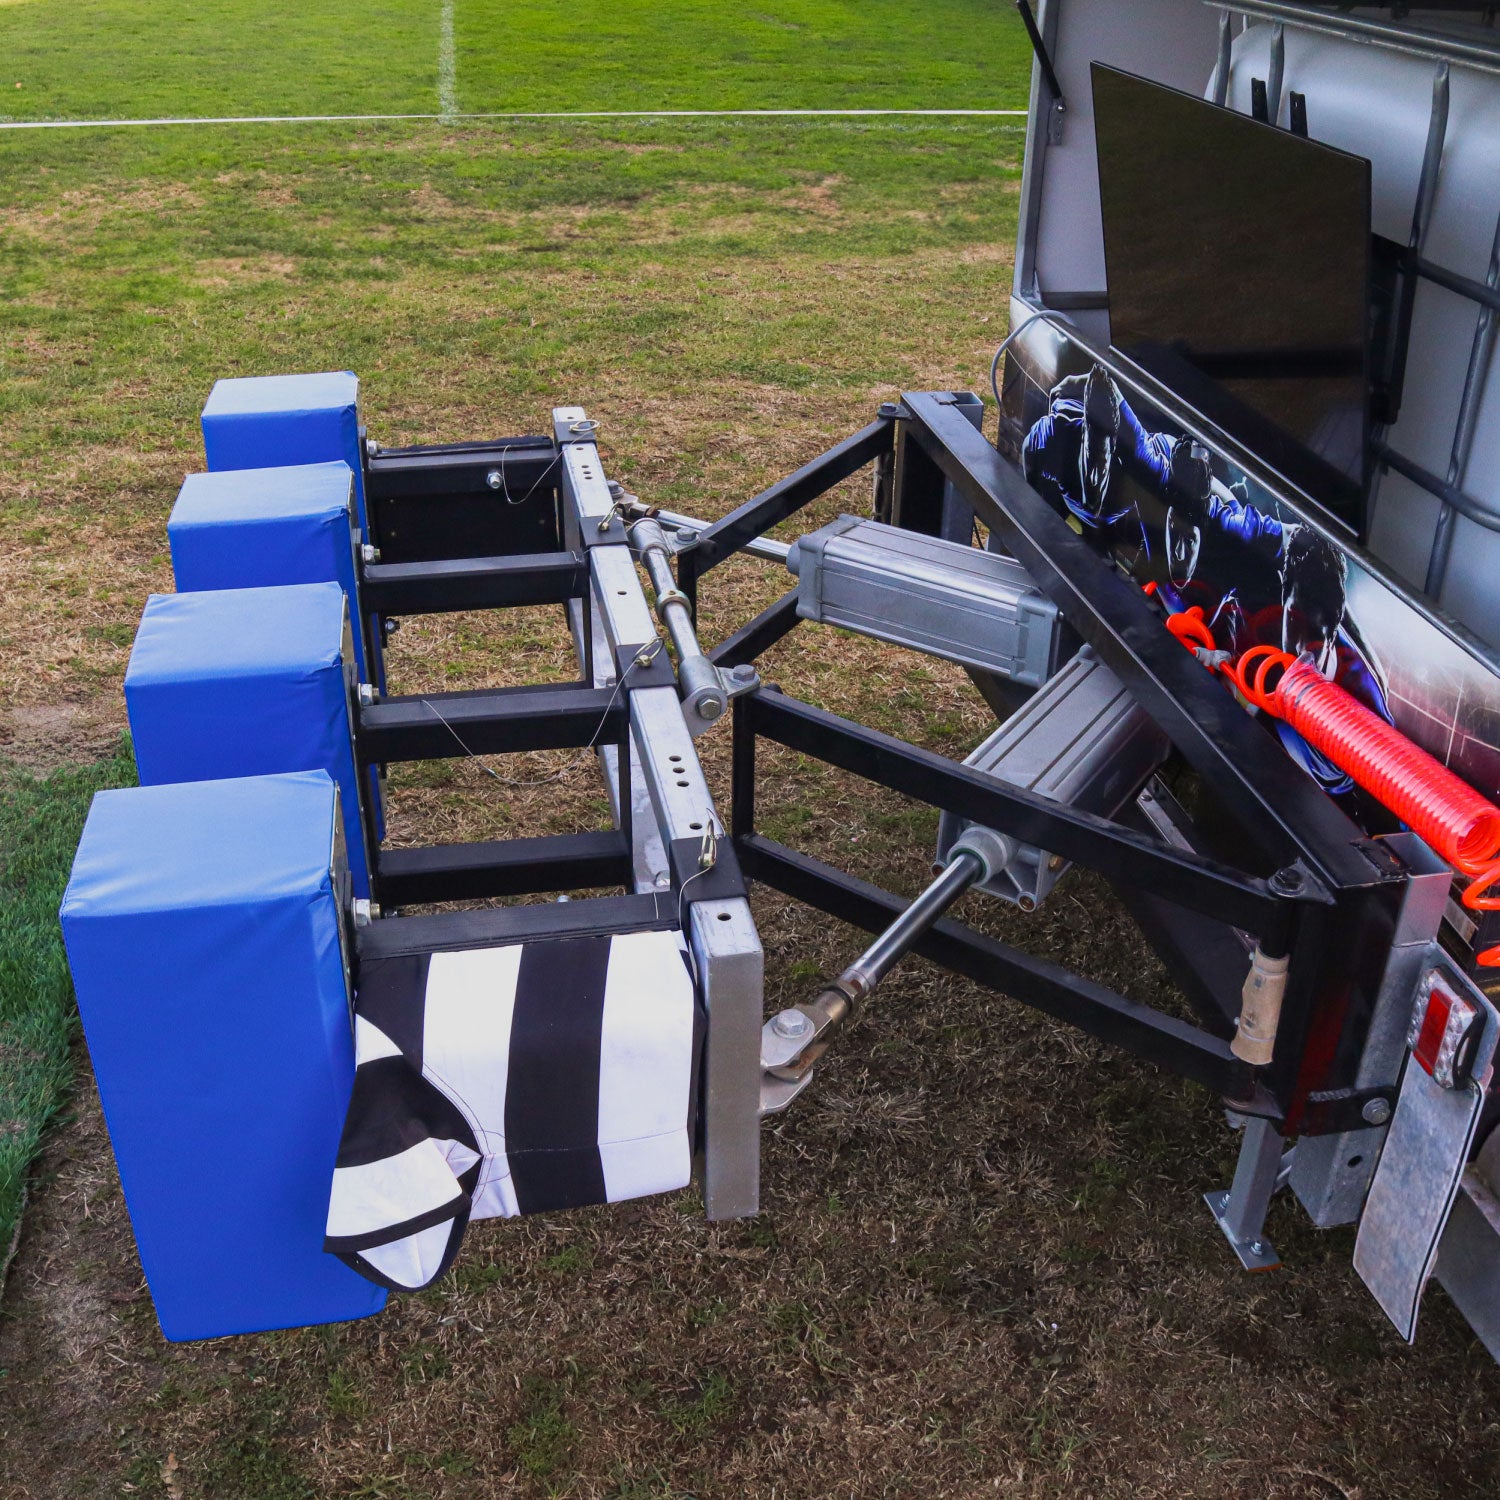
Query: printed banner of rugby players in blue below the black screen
[(1171, 512)]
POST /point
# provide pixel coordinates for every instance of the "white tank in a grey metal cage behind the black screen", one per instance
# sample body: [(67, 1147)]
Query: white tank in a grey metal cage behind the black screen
[(1430, 128)]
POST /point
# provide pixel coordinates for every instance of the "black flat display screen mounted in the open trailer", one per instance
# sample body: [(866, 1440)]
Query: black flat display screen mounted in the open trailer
[(1240, 275)]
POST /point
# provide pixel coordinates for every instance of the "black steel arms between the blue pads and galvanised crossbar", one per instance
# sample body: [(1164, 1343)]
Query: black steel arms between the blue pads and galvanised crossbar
[(476, 526)]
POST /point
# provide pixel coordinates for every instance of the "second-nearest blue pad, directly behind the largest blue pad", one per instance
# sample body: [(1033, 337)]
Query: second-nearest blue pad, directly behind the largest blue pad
[(247, 682)]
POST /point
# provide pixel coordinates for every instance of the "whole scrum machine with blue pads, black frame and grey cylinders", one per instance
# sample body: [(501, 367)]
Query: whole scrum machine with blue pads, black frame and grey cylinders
[(1094, 694)]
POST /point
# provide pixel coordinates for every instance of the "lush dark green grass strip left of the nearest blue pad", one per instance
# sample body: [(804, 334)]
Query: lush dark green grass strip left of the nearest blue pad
[(41, 820)]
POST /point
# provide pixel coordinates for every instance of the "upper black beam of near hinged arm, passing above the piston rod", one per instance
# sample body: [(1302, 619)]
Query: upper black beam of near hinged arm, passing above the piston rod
[(1120, 854)]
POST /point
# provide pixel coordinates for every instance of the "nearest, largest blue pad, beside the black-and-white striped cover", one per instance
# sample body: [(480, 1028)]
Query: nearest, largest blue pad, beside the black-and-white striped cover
[(203, 931)]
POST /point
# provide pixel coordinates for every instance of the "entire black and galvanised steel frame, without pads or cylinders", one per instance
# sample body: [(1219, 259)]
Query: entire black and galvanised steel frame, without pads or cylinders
[(1306, 883)]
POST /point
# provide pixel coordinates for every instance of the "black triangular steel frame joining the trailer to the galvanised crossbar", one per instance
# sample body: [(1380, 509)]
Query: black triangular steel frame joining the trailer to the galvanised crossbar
[(1306, 881)]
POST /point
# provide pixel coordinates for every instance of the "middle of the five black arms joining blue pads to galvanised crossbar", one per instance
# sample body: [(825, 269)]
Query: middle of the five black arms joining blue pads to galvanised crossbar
[(490, 724)]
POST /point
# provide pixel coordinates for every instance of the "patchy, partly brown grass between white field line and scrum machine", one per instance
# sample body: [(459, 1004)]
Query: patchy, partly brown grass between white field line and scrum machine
[(473, 278)]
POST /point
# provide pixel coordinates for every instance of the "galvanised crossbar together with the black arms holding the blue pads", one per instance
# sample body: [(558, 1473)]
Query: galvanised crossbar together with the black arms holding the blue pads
[(533, 521)]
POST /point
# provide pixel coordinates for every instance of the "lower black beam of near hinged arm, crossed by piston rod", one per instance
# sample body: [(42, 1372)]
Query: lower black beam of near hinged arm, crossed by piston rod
[(1070, 998)]
